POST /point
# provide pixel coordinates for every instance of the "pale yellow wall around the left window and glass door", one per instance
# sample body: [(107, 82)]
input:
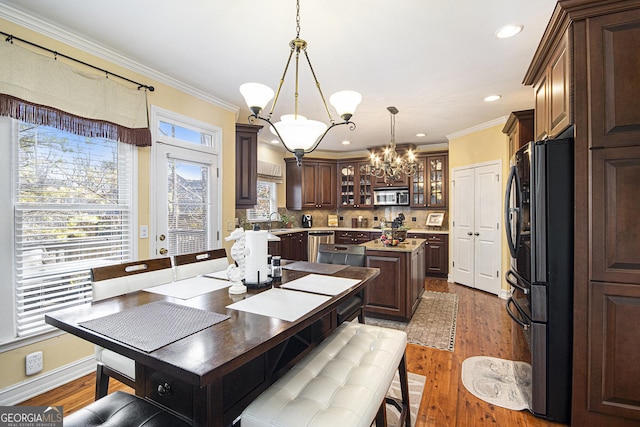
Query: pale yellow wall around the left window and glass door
[(65, 349)]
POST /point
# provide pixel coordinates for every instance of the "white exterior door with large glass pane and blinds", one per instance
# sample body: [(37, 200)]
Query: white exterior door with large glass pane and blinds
[(186, 195)]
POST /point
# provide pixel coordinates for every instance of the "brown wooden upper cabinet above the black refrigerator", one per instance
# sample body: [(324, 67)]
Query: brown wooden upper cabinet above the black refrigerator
[(552, 89)]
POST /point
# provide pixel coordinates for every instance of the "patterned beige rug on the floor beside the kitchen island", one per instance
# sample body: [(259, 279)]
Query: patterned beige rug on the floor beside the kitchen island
[(432, 325)]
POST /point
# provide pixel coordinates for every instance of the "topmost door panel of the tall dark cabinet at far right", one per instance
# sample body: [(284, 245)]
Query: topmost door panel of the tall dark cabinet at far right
[(614, 78)]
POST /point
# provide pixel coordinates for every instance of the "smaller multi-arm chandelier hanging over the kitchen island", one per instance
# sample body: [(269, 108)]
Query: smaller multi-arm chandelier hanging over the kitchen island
[(392, 165)]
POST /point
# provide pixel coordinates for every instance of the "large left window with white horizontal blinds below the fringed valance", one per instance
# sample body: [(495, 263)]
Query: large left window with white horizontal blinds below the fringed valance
[(71, 209)]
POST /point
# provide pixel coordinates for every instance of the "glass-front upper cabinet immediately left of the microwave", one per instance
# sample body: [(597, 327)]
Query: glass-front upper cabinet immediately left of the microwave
[(355, 186)]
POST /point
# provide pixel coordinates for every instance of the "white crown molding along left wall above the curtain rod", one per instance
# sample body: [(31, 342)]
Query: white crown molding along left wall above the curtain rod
[(49, 30)]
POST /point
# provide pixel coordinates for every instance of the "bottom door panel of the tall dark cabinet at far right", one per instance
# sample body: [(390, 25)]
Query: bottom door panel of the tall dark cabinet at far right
[(614, 373)]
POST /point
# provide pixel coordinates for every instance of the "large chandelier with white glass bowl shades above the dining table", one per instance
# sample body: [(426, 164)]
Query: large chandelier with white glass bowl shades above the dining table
[(297, 134)]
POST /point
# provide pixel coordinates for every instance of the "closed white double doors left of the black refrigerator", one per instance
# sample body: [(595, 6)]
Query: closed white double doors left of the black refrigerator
[(477, 203)]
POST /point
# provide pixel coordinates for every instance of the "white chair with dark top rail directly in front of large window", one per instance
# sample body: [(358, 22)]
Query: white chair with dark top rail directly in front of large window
[(113, 280)]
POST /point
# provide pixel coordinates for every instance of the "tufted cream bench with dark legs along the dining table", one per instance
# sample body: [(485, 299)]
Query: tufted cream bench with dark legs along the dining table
[(342, 382)]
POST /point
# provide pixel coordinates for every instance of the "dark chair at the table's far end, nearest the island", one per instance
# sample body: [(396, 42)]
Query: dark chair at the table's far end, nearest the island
[(329, 253)]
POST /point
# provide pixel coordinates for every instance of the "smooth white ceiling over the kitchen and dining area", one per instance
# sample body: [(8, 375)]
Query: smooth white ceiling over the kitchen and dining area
[(434, 60)]
